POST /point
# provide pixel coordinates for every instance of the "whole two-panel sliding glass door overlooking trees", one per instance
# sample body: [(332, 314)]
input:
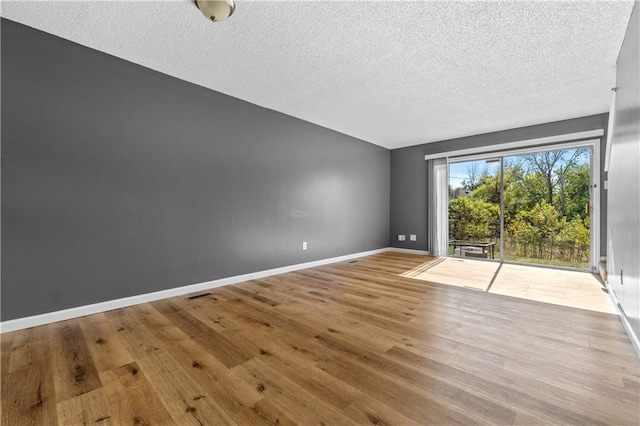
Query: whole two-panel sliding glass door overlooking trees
[(530, 207)]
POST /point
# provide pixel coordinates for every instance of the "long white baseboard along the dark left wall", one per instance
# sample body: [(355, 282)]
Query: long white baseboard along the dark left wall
[(80, 311)]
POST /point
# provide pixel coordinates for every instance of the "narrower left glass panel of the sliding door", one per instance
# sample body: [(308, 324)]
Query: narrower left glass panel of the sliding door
[(474, 209)]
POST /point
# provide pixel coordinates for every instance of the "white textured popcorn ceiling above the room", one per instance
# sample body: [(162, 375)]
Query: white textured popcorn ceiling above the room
[(391, 73)]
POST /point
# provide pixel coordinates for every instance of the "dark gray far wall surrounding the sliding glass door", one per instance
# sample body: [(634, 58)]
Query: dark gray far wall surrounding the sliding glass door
[(409, 174)]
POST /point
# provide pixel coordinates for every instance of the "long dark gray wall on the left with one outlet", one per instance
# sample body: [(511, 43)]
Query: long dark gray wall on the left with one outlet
[(118, 180)]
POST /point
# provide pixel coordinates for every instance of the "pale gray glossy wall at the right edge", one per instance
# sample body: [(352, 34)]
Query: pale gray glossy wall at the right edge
[(623, 263)]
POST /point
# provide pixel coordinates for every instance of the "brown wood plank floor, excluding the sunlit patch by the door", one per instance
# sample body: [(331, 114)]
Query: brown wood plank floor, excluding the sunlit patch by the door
[(347, 343)]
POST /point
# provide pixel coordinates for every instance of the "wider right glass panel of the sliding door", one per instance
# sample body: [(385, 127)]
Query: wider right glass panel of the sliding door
[(547, 208)]
